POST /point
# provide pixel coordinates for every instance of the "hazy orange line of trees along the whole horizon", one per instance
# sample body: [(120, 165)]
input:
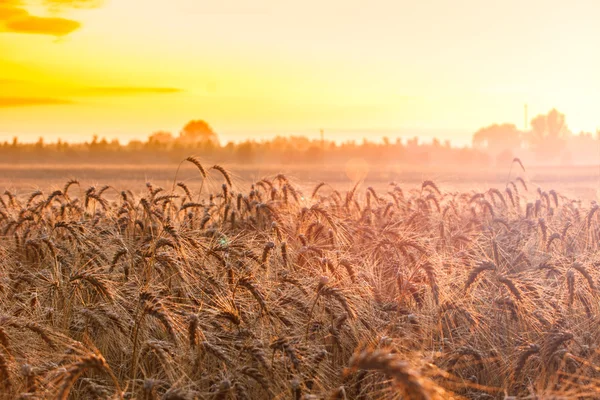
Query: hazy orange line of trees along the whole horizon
[(548, 141)]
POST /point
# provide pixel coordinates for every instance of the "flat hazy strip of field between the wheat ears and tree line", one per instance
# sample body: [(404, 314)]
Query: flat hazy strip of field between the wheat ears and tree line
[(581, 182)]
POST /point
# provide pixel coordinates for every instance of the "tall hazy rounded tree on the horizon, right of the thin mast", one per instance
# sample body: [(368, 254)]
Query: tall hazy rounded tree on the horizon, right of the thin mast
[(548, 134)]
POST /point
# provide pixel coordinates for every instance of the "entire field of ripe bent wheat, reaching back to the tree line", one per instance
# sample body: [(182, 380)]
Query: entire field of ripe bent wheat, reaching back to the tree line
[(204, 282)]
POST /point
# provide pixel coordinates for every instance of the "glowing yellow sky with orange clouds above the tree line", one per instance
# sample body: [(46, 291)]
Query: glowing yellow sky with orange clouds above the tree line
[(257, 68)]
